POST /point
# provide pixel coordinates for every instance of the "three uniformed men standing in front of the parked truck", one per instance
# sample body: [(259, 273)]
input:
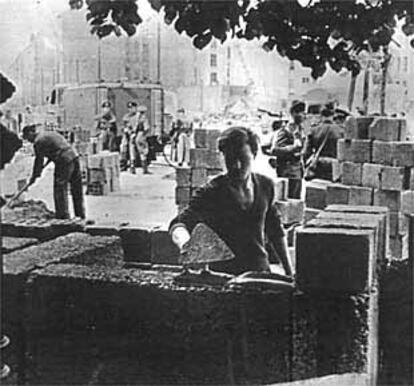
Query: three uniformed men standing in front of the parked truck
[(133, 143)]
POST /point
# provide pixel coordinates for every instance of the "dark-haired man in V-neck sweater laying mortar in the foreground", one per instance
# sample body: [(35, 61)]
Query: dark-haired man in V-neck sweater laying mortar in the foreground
[(239, 207)]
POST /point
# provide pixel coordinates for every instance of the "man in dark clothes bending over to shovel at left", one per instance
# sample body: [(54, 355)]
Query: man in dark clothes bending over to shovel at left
[(55, 148)]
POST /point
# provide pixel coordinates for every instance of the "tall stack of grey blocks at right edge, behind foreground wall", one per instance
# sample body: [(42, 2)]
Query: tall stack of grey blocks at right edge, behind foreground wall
[(377, 168)]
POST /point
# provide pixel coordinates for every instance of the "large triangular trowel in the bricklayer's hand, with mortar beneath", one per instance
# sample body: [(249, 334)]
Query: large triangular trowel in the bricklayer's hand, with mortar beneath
[(203, 248)]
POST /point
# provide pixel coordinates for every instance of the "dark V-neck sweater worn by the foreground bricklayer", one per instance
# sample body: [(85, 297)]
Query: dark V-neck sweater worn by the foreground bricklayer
[(243, 230)]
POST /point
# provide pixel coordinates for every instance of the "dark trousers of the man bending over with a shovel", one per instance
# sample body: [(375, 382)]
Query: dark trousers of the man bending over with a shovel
[(68, 174)]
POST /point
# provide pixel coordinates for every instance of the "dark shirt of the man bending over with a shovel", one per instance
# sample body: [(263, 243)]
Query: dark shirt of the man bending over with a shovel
[(54, 147)]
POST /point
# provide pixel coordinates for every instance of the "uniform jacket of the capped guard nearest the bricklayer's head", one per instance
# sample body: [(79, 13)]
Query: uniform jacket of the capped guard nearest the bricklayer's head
[(289, 160)]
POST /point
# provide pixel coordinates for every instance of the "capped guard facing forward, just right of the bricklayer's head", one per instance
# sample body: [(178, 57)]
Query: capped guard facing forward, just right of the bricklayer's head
[(287, 147)]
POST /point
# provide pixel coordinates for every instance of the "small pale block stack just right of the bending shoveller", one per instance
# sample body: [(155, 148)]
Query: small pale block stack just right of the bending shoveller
[(103, 173)]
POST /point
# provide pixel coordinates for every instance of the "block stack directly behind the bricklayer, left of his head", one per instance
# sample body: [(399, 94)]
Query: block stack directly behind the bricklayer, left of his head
[(205, 163)]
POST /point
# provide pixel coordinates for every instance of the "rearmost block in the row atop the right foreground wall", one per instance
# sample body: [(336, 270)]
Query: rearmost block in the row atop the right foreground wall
[(382, 212)]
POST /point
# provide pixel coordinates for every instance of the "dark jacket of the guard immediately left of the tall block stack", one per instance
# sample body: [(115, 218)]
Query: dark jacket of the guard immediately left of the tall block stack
[(316, 136)]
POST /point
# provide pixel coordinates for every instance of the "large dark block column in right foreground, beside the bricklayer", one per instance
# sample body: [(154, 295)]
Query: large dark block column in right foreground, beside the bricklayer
[(338, 256)]
